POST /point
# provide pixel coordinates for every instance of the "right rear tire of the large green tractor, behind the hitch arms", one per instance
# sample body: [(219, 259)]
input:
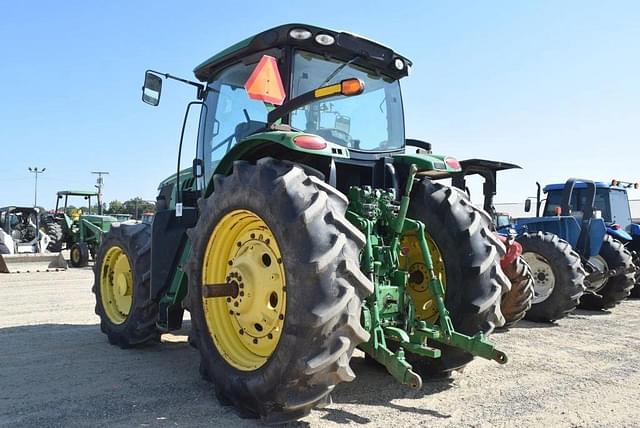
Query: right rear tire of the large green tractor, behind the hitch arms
[(471, 256)]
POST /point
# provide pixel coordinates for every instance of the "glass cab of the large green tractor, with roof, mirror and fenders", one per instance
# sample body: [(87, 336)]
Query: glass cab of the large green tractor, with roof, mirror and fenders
[(330, 99)]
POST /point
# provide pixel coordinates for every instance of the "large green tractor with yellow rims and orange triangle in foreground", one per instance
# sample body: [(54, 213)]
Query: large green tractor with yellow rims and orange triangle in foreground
[(305, 227)]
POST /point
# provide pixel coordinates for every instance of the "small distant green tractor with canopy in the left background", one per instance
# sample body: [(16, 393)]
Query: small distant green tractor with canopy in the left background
[(72, 229)]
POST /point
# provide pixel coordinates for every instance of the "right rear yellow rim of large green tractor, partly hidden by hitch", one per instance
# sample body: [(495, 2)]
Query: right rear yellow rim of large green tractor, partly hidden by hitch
[(418, 285)]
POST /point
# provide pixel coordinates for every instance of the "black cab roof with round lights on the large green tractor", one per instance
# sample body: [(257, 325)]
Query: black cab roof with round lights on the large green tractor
[(346, 45)]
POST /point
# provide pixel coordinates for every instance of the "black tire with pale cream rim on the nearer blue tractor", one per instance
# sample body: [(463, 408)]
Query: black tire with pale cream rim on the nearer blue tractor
[(557, 274)]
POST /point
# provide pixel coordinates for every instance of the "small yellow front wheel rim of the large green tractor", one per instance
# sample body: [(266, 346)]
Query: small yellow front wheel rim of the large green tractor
[(116, 285)]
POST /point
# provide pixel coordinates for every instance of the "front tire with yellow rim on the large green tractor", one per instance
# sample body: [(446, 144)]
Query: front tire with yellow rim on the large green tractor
[(122, 286)]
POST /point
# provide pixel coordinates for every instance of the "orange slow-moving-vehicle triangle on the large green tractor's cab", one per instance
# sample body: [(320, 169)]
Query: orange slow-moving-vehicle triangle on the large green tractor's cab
[(265, 83)]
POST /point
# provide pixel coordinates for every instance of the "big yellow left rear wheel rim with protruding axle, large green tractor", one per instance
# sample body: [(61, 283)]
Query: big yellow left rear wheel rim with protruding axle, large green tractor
[(245, 329)]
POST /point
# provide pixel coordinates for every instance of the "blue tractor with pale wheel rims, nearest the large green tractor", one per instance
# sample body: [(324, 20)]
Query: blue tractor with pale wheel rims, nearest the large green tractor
[(571, 217)]
